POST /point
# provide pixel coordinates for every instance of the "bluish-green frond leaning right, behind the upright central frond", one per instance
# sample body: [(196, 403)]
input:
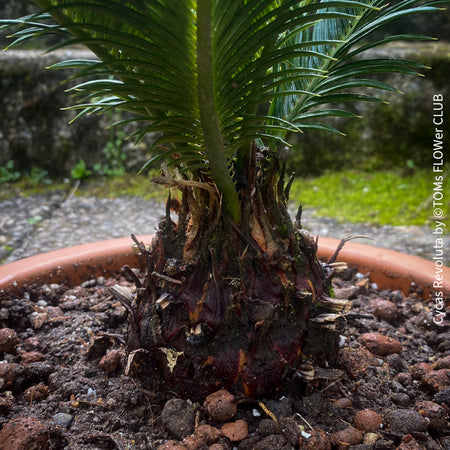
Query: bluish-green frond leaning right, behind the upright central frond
[(347, 70)]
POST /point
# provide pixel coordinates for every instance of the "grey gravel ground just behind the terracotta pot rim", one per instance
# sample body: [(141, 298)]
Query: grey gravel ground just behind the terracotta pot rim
[(45, 222)]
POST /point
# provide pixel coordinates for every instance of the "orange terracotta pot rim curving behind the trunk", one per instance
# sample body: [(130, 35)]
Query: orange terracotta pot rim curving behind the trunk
[(388, 269)]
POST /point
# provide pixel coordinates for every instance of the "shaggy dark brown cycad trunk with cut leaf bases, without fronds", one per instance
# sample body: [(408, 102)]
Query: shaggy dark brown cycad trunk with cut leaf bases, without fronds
[(234, 304)]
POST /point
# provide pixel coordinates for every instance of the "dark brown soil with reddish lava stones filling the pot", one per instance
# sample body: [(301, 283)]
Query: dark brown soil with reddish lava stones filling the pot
[(63, 381)]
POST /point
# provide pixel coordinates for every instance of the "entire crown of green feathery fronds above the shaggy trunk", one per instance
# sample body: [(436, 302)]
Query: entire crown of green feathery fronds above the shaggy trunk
[(197, 71)]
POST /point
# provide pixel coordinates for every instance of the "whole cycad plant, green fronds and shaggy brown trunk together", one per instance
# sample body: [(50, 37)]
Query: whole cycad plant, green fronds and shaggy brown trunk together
[(234, 294)]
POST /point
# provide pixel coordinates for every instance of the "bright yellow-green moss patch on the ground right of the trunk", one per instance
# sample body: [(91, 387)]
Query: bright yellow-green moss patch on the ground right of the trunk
[(381, 198)]
